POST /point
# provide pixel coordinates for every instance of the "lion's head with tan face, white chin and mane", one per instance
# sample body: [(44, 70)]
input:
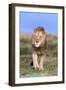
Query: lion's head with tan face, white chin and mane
[(38, 37)]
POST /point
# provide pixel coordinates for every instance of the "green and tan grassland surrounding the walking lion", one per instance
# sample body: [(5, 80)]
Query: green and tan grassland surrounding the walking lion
[(51, 62)]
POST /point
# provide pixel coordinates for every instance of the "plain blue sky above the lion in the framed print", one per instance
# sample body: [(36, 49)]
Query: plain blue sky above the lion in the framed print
[(30, 20)]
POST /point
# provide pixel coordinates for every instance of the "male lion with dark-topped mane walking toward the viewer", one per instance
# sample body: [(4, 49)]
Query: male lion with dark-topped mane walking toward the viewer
[(38, 47)]
